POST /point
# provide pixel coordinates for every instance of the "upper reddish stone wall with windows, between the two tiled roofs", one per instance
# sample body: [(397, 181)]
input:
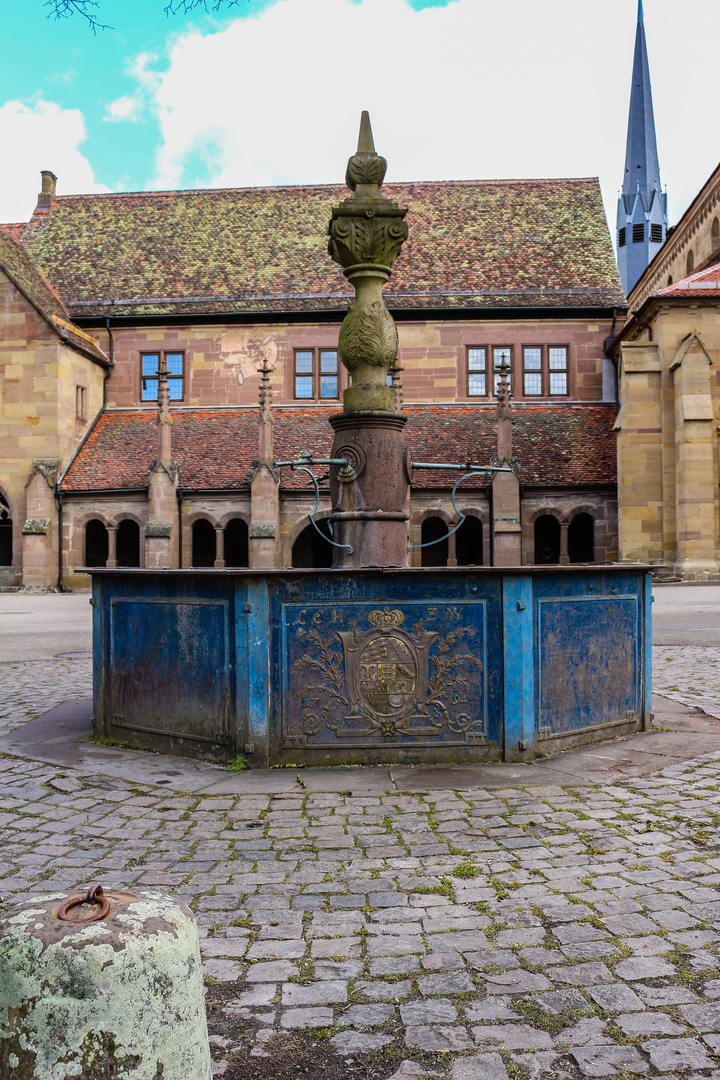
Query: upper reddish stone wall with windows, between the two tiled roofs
[(221, 361)]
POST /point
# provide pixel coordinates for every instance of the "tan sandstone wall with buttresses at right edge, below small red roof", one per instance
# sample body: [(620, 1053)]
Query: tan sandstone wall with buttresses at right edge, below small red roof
[(668, 444)]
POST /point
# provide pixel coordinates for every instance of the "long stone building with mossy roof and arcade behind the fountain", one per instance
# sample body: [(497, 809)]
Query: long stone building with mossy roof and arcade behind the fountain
[(229, 294)]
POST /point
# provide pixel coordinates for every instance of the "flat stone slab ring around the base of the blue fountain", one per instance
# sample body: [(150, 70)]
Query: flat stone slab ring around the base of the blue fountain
[(62, 737)]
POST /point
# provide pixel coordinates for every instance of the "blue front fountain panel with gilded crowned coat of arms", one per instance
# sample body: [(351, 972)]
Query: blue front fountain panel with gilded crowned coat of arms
[(368, 674)]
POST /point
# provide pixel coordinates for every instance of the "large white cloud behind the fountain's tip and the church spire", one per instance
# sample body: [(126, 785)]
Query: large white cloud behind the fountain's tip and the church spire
[(472, 90)]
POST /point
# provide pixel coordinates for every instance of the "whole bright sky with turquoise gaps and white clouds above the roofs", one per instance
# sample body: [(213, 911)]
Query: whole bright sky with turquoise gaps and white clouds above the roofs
[(269, 92)]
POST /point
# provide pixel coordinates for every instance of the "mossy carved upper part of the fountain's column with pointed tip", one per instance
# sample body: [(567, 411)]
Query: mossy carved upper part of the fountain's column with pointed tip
[(366, 236)]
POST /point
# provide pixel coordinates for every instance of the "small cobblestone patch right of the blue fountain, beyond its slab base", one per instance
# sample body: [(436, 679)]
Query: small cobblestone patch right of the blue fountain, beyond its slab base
[(689, 674)]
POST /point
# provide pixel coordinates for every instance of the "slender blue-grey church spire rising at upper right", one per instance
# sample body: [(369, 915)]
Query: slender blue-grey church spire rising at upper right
[(642, 207)]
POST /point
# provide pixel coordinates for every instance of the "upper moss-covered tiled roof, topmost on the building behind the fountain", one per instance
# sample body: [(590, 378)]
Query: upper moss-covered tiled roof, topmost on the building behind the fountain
[(472, 245)]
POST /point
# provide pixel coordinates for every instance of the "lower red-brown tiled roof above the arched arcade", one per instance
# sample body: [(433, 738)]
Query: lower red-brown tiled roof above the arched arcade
[(566, 445)]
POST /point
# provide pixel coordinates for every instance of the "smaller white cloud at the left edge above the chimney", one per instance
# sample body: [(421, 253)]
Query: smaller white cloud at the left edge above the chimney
[(43, 136)]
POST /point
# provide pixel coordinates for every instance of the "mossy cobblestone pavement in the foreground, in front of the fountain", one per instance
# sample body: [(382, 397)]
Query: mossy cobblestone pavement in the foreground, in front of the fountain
[(551, 933)]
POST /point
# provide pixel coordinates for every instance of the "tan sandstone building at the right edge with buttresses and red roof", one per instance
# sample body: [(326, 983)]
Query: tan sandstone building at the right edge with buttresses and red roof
[(669, 360)]
